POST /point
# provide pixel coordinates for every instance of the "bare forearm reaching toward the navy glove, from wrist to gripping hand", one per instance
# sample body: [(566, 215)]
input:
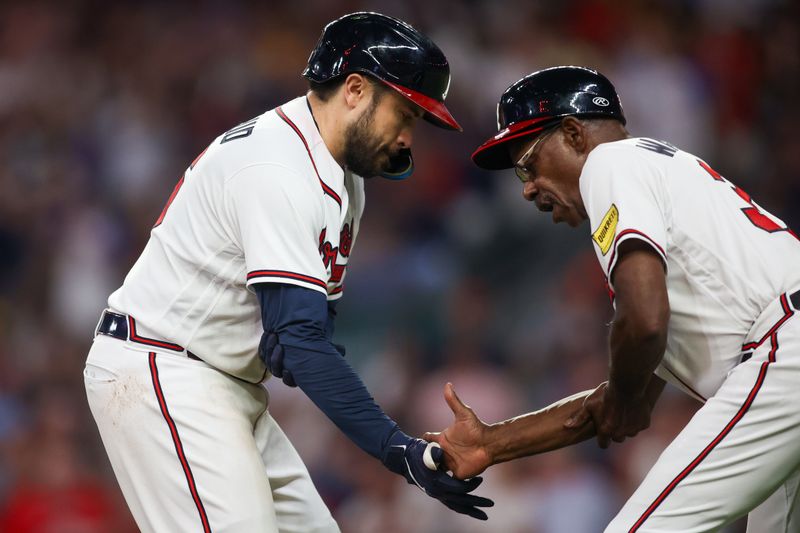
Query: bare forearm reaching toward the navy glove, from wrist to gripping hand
[(537, 432)]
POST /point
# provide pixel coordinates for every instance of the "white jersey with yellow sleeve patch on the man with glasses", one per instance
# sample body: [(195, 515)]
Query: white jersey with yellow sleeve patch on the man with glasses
[(727, 259)]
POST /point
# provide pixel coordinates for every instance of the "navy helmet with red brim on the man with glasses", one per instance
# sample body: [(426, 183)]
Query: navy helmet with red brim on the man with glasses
[(542, 99)]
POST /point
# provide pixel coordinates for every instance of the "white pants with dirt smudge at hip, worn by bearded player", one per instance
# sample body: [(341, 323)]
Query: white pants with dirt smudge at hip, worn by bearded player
[(194, 449)]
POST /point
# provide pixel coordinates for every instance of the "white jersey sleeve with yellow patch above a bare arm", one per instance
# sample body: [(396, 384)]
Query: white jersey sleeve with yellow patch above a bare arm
[(625, 200)]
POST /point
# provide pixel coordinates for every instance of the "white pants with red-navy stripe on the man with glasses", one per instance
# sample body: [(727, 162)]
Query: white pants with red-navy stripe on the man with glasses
[(740, 453)]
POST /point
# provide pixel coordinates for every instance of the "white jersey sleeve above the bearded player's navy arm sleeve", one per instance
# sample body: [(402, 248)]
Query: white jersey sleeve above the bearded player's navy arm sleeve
[(278, 218)]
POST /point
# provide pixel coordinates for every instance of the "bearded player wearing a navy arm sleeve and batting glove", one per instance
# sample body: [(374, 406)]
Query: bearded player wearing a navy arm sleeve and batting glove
[(240, 280)]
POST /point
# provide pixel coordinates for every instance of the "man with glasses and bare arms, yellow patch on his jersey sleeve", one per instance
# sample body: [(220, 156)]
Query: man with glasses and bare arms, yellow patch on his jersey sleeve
[(706, 289)]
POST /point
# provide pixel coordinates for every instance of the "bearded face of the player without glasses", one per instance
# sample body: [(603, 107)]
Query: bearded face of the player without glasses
[(379, 133)]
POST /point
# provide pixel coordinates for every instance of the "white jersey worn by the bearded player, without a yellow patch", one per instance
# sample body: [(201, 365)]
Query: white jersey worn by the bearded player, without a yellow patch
[(265, 202)]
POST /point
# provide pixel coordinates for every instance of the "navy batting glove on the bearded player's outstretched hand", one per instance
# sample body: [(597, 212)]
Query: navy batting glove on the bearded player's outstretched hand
[(405, 456)]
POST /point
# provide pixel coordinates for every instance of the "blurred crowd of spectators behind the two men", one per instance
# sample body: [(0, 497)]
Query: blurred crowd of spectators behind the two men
[(455, 277)]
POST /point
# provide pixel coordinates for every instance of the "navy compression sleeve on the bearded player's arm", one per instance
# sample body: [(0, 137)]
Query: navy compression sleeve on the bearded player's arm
[(302, 320)]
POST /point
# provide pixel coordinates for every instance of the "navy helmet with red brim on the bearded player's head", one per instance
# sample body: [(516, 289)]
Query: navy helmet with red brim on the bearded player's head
[(390, 50)]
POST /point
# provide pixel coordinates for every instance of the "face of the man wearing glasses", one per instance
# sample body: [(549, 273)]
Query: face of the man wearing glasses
[(550, 171)]
